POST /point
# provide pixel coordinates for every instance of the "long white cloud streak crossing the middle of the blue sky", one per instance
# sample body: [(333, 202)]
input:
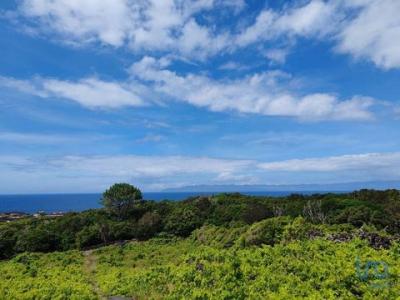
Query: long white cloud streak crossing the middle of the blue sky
[(265, 93)]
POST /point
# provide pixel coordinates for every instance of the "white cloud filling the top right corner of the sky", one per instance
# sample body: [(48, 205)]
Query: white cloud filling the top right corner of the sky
[(365, 29)]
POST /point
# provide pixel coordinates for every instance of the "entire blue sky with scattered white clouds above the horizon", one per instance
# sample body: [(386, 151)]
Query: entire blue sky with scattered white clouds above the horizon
[(171, 93)]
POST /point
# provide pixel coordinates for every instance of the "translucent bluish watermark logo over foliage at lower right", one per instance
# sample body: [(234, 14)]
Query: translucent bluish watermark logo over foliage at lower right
[(375, 272)]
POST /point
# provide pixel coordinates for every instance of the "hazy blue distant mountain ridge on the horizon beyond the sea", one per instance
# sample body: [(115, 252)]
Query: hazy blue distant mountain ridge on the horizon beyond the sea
[(332, 187)]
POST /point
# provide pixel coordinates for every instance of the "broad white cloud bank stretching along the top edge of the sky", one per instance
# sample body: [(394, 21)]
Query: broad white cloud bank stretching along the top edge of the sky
[(366, 29)]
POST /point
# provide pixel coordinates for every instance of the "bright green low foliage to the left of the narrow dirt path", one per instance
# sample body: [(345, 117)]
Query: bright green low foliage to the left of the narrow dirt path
[(51, 276)]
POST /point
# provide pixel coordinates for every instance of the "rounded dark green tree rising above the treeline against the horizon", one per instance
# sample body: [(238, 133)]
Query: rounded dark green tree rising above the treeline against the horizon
[(120, 198)]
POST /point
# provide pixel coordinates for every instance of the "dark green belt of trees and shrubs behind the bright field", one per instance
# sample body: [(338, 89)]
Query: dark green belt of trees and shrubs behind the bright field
[(140, 219)]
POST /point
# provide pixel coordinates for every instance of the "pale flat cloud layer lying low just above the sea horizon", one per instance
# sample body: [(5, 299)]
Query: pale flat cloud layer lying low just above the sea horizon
[(95, 173)]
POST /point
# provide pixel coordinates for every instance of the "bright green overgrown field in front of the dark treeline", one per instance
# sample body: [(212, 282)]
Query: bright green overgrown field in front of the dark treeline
[(277, 258)]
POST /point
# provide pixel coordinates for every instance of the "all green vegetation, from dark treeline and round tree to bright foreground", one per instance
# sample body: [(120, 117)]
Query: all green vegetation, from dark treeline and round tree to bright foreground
[(228, 246)]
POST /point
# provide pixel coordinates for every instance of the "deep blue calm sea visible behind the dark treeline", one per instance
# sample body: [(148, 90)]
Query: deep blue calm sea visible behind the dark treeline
[(79, 202)]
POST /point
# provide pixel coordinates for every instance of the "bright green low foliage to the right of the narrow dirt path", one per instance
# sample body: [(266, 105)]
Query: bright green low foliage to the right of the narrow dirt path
[(308, 269)]
